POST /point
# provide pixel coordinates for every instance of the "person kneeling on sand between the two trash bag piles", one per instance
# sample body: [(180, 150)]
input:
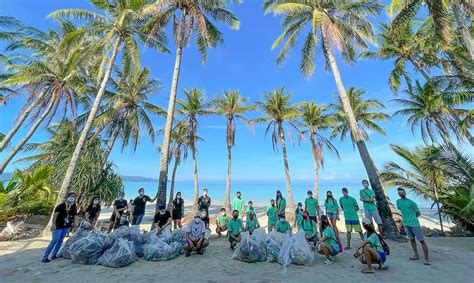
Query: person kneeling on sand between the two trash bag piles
[(195, 236)]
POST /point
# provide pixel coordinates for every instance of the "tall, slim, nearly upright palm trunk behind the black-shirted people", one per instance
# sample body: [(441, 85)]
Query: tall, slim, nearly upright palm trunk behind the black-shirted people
[(163, 179)]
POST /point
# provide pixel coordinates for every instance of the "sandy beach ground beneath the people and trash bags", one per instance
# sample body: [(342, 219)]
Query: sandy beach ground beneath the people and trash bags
[(451, 261)]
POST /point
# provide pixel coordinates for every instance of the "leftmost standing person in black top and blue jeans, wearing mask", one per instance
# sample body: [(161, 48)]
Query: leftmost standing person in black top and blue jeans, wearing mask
[(63, 219)]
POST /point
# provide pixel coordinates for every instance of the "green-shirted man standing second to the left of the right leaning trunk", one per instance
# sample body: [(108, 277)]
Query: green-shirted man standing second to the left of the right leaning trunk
[(350, 207)]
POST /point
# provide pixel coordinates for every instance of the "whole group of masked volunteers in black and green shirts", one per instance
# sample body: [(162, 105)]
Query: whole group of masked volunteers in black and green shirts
[(320, 227)]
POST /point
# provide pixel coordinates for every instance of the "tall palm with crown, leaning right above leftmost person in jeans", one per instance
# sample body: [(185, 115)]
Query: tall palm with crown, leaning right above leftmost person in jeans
[(117, 29)]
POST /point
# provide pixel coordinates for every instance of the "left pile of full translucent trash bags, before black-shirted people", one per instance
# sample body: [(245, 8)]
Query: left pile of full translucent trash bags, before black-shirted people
[(122, 247)]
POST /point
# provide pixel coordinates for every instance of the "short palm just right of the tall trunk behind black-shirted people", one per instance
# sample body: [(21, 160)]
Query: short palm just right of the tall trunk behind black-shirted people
[(193, 106)]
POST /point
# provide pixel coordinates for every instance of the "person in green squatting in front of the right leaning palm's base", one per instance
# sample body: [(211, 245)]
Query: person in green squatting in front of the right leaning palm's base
[(371, 250)]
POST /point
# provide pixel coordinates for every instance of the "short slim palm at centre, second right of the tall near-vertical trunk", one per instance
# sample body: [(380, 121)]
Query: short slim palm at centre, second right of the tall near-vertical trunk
[(231, 106)]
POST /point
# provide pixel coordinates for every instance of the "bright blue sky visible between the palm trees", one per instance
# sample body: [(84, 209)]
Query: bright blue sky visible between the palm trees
[(247, 63)]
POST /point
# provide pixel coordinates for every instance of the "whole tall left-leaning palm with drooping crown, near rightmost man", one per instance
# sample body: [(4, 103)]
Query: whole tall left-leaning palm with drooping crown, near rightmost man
[(343, 25)]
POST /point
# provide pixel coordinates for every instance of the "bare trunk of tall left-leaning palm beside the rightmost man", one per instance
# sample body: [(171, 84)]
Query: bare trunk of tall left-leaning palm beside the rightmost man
[(388, 223)]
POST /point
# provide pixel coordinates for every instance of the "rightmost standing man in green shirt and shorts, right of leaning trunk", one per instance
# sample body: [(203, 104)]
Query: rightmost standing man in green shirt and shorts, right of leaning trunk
[(410, 214)]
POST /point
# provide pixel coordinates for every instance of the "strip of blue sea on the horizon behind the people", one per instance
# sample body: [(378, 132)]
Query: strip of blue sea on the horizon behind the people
[(259, 191)]
